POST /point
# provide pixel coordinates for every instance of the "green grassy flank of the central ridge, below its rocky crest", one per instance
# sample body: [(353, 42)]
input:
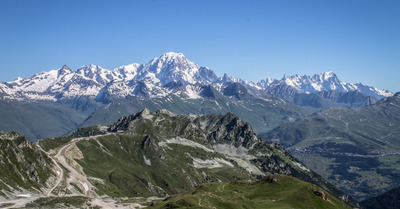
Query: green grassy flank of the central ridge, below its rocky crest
[(125, 173)]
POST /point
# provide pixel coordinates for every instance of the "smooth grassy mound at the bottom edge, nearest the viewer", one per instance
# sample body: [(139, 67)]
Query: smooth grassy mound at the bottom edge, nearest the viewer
[(285, 192)]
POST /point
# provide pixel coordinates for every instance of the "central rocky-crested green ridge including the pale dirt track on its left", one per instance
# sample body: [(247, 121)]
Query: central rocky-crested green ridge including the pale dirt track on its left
[(149, 156)]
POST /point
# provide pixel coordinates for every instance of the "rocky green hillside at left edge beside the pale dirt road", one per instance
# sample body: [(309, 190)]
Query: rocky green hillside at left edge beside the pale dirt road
[(24, 167)]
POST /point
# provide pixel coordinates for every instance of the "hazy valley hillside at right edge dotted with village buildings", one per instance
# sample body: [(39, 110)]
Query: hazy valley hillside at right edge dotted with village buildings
[(356, 149)]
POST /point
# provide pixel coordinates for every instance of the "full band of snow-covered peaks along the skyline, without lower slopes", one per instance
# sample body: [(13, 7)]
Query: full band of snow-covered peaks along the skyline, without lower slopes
[(169, 73)]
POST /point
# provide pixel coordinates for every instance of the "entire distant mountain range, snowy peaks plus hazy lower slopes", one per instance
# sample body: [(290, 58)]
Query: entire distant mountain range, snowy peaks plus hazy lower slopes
[(64, 100)]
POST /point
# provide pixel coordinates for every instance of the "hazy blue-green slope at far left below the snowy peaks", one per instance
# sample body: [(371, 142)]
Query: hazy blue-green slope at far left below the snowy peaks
[(38, 120)]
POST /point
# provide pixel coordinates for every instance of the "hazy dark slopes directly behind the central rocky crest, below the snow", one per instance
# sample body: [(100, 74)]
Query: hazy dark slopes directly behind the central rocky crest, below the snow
[(262, 112)]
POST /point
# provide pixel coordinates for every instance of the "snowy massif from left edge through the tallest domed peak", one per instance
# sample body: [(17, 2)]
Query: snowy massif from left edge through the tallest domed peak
[(159, 76)]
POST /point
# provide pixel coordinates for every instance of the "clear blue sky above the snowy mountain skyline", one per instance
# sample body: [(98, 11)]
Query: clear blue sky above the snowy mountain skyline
[(357, 39)]
